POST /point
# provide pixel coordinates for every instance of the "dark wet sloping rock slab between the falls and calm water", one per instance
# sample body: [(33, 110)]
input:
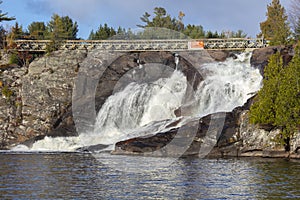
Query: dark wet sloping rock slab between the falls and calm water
[(197, 137)]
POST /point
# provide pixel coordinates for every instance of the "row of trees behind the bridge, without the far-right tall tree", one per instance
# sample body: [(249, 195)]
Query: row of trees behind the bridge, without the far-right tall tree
[(64, 28)]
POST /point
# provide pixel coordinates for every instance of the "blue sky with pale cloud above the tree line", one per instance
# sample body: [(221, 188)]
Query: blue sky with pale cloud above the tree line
[(215, 15)]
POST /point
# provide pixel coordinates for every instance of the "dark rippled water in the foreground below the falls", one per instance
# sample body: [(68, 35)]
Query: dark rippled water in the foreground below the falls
[(81, 176)]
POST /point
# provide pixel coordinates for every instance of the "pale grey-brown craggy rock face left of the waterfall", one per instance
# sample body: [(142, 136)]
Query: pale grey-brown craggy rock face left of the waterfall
[(37, 97)]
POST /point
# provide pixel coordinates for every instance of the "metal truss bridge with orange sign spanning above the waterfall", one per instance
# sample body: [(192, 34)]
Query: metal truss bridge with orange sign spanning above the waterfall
[(144, 45)]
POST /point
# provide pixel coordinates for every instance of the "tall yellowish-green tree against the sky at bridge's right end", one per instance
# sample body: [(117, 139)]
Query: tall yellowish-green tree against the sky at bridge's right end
[(276, 27)]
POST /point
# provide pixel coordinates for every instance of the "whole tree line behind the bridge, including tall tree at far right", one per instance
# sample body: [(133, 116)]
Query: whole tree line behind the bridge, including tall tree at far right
[(64, 28)]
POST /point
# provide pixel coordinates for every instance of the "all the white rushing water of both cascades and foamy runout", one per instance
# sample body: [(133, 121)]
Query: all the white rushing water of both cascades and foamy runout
[(147, 108)]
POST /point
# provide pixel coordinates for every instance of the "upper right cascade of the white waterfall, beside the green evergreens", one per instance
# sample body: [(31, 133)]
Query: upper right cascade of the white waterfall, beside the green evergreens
[(227, 85)]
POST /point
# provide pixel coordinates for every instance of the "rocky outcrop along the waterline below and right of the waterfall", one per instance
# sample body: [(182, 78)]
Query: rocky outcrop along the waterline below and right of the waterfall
[(235, 137)]
